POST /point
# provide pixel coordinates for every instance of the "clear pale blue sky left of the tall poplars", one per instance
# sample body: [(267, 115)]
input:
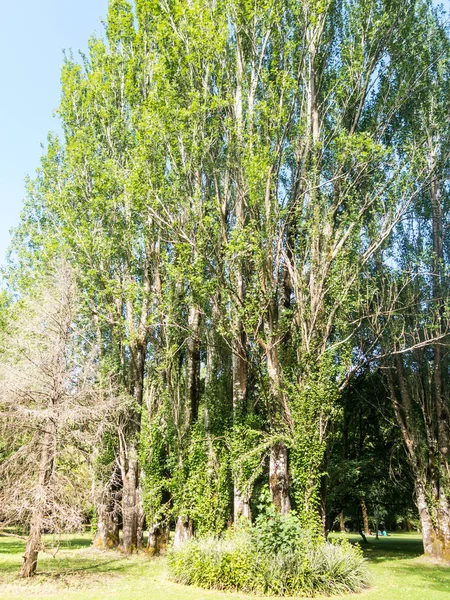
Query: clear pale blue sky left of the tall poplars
[(33, 34)]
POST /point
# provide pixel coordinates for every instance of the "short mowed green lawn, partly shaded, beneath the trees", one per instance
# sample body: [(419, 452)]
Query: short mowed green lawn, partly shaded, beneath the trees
[(79, 572)]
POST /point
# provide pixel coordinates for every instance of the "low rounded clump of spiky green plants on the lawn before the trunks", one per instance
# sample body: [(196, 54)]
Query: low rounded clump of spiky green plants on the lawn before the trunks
[(269, 559)]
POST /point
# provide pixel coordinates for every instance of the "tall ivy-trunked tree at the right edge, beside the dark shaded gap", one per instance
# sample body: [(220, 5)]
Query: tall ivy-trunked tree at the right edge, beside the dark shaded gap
[(417, 334)]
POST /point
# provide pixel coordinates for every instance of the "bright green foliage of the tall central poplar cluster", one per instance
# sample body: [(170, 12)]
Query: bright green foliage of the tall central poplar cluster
[(256, 163)]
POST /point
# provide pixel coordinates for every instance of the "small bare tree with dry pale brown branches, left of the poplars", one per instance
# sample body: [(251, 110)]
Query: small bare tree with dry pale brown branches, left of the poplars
[(50, 404)]
